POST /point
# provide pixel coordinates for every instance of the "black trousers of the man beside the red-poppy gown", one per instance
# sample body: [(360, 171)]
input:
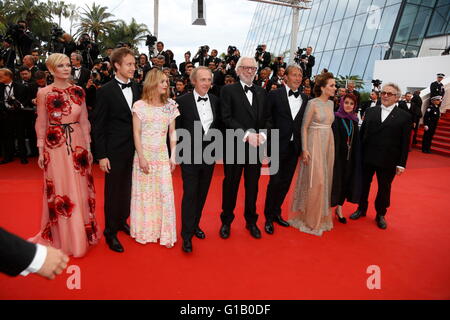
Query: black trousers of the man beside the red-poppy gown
[(118, 193)]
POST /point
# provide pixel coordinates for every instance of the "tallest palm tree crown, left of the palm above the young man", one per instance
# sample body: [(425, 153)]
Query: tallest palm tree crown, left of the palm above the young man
[(95, 21)]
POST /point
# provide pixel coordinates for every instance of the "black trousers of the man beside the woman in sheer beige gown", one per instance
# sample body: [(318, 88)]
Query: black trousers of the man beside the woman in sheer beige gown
[(279, 184)]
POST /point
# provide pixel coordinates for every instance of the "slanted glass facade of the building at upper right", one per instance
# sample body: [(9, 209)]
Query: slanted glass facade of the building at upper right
[(347, 36)]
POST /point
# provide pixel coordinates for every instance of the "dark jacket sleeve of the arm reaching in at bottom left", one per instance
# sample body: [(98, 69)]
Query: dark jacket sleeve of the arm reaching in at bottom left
[(16, 254)]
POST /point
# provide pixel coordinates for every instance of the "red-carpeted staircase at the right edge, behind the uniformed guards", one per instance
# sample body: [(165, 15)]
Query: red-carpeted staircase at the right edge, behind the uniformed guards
[(441, 140)]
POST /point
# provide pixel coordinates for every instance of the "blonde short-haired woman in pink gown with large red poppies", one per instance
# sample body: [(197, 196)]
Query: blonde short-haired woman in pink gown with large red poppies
[(63, 133)]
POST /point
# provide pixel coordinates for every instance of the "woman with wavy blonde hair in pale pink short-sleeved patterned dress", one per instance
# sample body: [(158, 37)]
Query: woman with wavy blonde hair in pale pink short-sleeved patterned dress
[(152, 214)]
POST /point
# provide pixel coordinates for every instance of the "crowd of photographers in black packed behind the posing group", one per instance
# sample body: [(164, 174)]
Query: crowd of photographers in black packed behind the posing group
[(91, 69)]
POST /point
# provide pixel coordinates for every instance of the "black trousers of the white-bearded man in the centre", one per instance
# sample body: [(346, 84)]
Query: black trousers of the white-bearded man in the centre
[(230, 188)]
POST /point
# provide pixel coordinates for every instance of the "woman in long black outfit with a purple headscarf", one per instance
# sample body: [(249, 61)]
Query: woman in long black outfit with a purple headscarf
[(346, 172)]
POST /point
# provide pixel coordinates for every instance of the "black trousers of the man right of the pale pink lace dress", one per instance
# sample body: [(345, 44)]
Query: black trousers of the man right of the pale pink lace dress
[(196, 182)]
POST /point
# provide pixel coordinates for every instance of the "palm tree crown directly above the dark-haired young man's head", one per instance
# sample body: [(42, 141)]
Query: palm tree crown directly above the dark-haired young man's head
[(133, 33)]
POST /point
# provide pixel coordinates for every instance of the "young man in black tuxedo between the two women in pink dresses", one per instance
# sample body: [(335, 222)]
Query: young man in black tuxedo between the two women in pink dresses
[(114, 146)]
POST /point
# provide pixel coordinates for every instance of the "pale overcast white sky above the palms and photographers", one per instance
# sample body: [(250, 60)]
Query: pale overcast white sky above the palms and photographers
[(227, 22)]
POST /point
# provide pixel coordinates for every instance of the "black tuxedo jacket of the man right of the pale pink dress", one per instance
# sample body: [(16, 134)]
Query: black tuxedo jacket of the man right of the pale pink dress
[(189, 114)]
